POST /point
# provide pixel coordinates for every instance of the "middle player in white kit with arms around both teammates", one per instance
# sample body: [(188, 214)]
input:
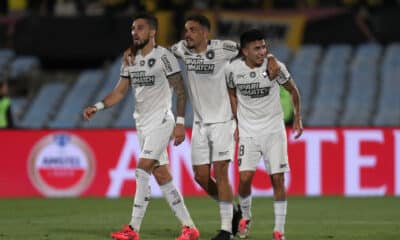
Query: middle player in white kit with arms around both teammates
[(213, 127)]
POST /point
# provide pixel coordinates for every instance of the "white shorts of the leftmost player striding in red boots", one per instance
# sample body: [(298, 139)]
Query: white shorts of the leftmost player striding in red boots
[(154, 144)]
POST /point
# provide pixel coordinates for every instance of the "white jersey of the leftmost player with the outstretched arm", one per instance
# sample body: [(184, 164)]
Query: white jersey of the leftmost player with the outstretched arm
[(150, 86)]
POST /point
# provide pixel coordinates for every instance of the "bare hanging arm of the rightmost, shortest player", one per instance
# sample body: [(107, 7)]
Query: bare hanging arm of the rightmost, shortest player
[(291, 87)]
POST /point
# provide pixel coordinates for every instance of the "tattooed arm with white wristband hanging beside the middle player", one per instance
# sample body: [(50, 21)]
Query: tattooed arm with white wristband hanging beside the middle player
[(176, 81)]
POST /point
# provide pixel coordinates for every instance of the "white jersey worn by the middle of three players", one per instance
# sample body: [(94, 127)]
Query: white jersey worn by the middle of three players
[(206, 81)]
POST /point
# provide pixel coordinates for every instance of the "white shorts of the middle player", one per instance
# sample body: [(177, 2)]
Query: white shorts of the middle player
[(212, 142)]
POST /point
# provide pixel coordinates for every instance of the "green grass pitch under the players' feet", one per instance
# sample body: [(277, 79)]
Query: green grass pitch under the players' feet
[(95, 218)]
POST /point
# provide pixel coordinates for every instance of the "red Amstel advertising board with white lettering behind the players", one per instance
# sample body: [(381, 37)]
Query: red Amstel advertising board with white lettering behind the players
[(329, 161)]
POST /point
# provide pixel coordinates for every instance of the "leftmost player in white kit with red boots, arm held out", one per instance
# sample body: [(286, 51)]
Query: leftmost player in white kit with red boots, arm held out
[(154, 72)]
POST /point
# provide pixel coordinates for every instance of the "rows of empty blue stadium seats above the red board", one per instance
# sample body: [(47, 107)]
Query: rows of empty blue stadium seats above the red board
[(340, 84)]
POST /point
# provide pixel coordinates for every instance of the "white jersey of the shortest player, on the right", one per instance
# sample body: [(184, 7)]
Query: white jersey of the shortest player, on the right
[(259, 110)]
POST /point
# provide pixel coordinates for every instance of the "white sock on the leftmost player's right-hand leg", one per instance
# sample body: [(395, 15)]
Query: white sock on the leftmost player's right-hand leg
[(175, 201)]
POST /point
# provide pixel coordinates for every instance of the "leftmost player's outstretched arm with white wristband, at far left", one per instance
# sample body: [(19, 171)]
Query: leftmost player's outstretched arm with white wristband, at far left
[(115, 96)]
